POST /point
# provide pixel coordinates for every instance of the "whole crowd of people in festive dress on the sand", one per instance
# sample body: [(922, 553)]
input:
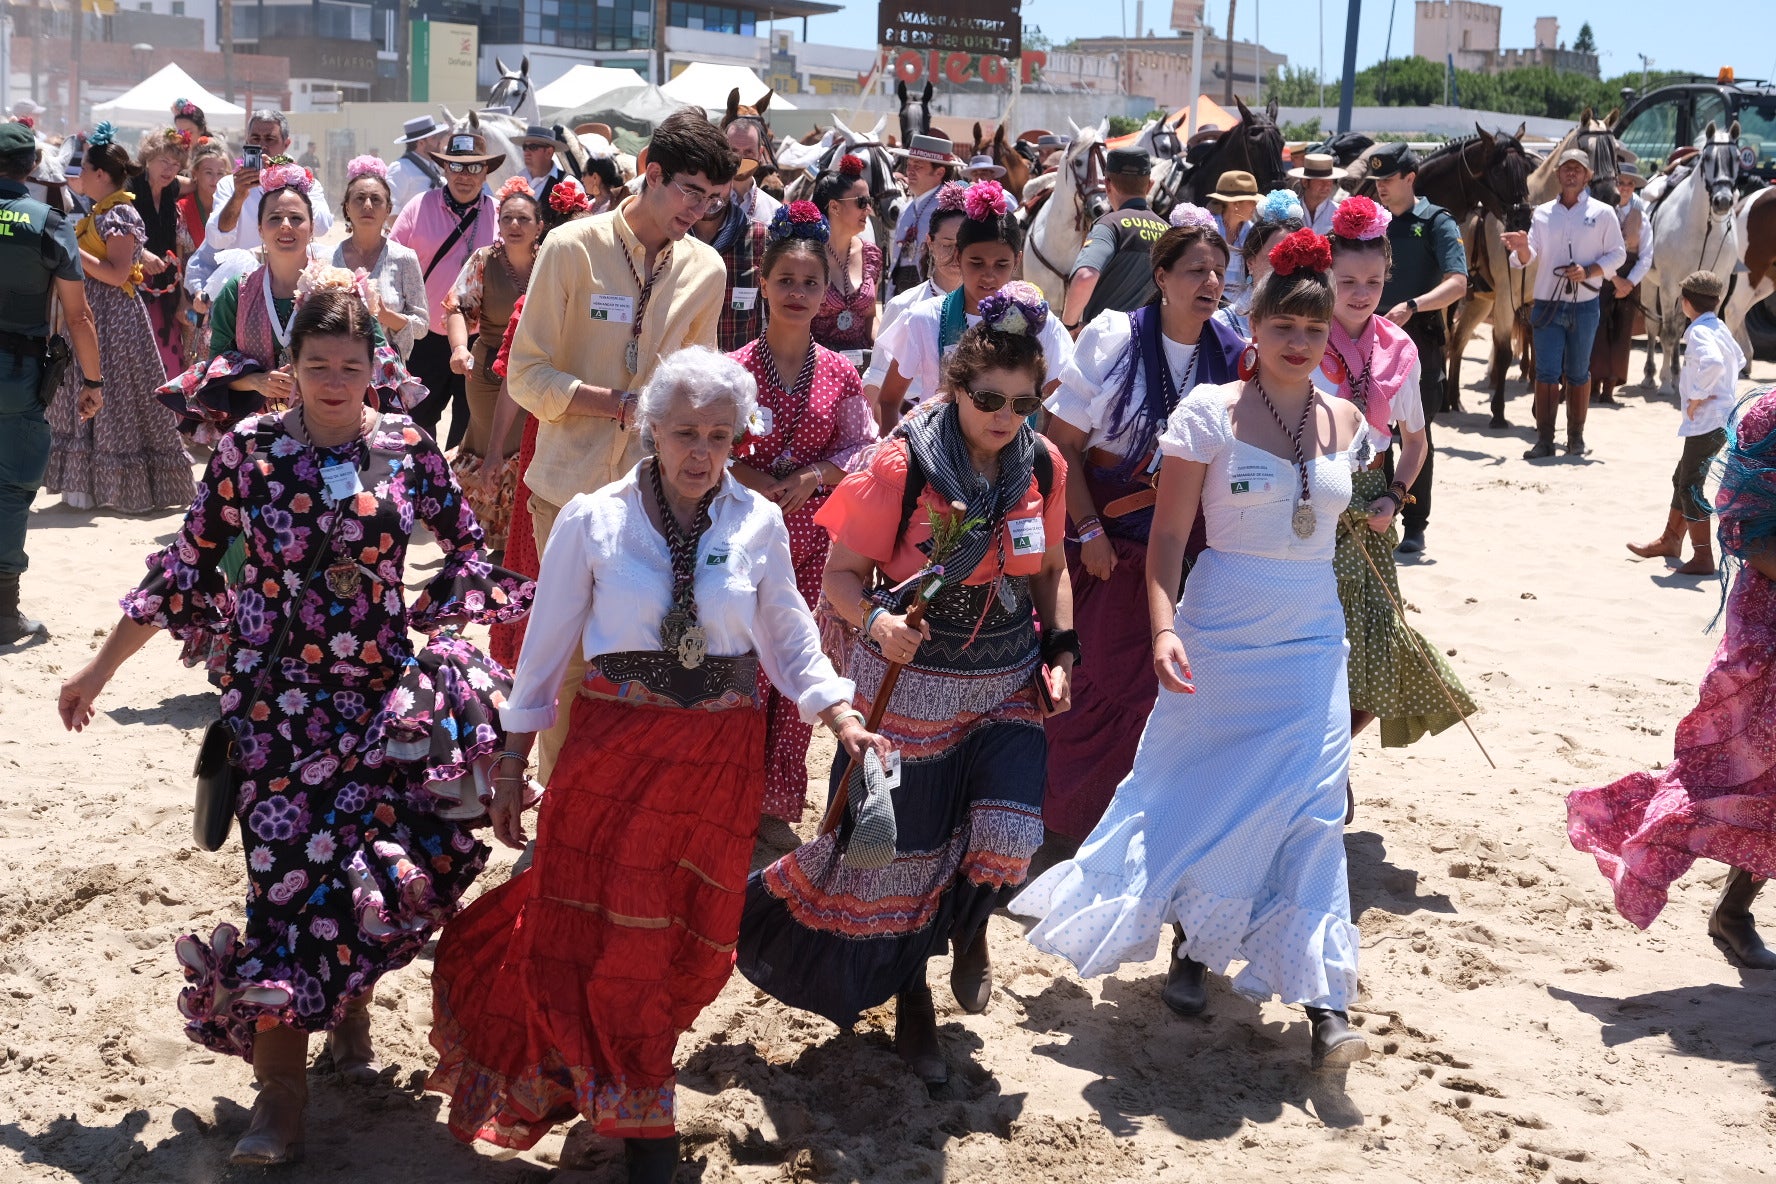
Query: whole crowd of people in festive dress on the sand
[(1095, 597)]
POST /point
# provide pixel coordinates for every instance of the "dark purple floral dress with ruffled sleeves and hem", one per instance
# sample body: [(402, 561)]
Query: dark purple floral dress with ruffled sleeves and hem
[(358, 789)]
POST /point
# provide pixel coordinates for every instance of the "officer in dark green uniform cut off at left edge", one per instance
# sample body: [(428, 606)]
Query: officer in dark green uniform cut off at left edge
[(38, 258)]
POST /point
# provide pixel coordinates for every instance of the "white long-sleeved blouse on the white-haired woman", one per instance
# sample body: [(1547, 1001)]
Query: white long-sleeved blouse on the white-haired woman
[(607, 587)]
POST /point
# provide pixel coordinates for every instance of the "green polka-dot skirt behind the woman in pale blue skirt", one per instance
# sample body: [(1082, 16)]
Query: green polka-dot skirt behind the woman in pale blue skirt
[(1388, 675)]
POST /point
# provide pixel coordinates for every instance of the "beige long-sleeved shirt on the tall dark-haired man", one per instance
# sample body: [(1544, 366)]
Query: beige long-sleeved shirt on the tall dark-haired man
[(559, 343)]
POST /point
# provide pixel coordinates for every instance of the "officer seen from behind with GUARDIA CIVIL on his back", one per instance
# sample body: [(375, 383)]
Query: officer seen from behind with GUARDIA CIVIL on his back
[(1114, 269)]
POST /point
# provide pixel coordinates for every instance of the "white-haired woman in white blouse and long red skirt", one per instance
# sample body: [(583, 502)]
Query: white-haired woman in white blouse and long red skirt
[(566, 990)]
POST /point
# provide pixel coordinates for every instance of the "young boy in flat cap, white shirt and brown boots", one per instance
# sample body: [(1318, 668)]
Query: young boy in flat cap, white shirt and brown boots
[(1706, 393)]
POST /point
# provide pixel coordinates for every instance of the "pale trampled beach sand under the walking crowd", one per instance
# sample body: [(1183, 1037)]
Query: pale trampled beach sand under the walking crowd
[(1523, 1030)]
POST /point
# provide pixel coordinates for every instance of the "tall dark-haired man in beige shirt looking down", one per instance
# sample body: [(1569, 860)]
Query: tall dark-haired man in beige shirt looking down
[(610, 297)]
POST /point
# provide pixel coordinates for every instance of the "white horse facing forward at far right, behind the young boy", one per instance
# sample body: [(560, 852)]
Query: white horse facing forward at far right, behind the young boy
[(1693, 232)]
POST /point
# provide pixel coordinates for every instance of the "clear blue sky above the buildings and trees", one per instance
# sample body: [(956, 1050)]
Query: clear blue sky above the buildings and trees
[(1740, 33)]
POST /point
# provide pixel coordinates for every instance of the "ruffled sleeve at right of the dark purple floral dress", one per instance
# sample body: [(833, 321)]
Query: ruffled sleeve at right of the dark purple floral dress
[(468, 587)]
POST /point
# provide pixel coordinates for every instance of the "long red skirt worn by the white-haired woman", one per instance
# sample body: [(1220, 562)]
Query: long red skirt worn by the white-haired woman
[(564, 991)]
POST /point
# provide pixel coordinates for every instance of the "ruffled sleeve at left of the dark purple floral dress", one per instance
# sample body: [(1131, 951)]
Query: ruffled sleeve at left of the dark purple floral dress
[(186, 592)]
